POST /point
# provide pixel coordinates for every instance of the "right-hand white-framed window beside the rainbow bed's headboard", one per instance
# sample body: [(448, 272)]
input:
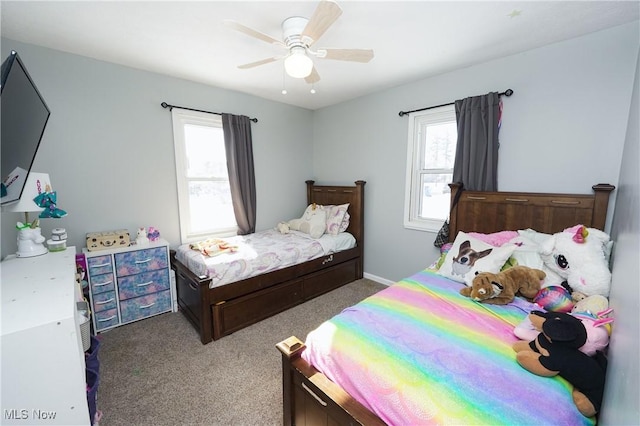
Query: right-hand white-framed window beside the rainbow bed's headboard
[(431, 153)]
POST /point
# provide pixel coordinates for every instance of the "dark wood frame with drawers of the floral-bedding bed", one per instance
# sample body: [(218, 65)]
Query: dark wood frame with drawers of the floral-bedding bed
[(219, 311)]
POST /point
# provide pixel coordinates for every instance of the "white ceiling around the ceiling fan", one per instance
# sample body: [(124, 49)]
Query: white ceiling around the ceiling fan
[(411, 39)]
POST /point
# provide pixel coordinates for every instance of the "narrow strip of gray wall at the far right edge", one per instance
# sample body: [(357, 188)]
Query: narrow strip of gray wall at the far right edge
[(622, 391)]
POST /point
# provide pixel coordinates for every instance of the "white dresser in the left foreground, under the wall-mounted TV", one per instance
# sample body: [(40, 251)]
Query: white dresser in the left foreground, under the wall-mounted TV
[(43, 363)]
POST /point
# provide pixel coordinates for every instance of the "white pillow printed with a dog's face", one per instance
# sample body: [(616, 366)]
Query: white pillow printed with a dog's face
[(469, 255)]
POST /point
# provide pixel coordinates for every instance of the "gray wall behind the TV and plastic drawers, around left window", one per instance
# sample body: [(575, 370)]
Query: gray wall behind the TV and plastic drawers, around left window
[(108, 147)]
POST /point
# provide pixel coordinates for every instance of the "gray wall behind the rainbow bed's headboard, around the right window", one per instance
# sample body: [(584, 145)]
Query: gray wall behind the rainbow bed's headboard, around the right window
[(563, 131)]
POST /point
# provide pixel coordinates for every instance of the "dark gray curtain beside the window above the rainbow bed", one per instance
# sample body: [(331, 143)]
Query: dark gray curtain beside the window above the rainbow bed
[(476, 163)]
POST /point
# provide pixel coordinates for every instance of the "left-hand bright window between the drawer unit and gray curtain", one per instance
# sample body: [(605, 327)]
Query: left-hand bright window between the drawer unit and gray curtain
[(204, 194)]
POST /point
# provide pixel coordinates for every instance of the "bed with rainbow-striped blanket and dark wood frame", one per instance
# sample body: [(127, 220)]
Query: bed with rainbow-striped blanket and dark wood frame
[(420, 353)]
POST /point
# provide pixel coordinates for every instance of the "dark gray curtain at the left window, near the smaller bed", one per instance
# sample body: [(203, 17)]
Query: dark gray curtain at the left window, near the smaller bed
[(239, 150)]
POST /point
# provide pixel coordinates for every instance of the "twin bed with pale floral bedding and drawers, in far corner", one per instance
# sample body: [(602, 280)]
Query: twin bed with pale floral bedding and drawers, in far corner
[(220, 298)]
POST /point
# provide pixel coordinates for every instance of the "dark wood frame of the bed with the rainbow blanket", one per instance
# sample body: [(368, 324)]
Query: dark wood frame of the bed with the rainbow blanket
[(310, 398)]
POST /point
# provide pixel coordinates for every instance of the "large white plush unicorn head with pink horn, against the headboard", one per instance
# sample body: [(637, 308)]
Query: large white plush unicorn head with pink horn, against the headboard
[(579, 255)]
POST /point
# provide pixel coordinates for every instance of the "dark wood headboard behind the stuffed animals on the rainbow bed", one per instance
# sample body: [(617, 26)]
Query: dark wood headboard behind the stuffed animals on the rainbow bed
[(487, 212)]
